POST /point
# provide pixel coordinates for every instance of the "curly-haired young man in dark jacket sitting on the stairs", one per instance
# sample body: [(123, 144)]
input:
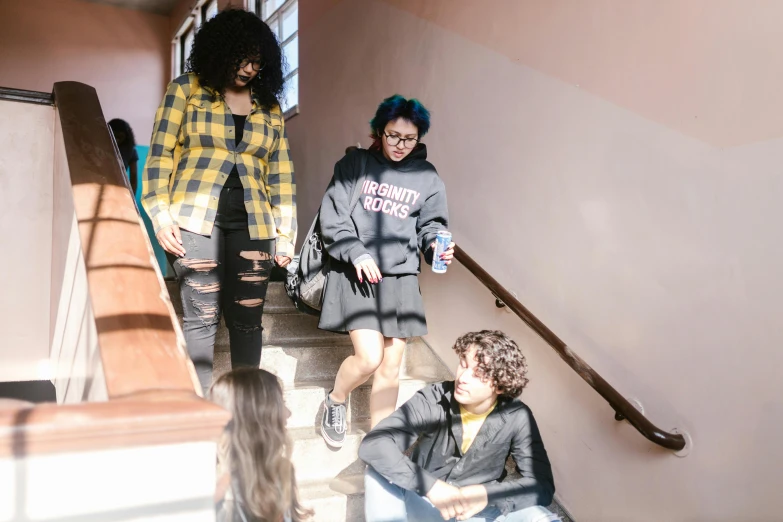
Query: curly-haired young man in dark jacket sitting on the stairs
[(465, 430)]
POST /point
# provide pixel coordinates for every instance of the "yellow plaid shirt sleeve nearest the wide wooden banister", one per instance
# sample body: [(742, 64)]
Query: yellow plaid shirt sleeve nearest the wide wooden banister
[(160, 161)]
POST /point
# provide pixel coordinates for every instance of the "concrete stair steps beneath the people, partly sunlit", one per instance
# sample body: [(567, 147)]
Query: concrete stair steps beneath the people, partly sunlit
[(307, 359)]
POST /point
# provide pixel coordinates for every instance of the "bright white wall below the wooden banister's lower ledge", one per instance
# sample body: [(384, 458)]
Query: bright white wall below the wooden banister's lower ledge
[(167, 483)]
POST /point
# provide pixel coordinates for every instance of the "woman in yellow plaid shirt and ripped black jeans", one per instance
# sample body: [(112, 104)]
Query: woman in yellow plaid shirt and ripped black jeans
[(219, 184)]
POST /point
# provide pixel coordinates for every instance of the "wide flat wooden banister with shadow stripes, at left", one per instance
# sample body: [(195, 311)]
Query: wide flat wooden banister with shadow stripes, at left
[(150, 381)]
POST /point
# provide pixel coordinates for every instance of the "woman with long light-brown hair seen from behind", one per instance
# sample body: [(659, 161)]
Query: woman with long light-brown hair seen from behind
[(255, 475)]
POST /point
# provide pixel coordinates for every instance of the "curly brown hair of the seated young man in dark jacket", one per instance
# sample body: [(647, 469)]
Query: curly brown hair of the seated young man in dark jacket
[(499, 359)]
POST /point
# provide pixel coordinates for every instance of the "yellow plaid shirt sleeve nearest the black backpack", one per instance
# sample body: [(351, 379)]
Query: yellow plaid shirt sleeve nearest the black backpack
[(281, 189)]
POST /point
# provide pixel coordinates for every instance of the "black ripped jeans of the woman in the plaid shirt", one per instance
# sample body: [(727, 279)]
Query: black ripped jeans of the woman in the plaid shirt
[(226, 272)]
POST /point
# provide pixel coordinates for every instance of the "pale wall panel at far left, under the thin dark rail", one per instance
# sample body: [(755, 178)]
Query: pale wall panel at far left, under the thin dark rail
[(26, 152)]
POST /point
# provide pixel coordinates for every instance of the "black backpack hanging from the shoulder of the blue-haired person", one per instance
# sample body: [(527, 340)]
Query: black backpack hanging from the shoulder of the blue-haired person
[(306, 279)]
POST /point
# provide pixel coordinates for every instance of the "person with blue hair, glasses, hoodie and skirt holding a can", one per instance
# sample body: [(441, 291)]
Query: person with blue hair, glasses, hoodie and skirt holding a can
[(372, 292)]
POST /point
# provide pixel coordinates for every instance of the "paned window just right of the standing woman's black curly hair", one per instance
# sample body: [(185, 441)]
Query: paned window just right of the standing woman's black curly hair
[(282, 16)]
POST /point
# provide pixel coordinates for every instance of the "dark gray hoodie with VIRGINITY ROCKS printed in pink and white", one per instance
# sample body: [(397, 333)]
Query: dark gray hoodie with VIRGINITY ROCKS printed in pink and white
[(402, 206)]
